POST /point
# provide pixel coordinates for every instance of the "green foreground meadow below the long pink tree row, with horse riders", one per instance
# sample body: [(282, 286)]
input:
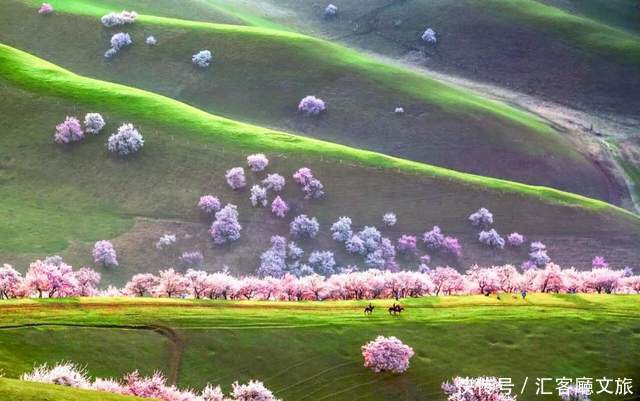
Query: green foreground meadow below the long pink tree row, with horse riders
[(312, 350)]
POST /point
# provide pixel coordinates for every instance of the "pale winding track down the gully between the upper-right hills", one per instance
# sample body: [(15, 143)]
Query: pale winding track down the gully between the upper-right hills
[(591, 131)]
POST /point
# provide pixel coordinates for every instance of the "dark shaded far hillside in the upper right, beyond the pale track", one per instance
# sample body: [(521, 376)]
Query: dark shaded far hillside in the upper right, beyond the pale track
[(580, 53)]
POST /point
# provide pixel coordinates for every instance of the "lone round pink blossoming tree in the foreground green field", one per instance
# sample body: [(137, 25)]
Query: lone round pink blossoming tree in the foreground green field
[(387, 354)]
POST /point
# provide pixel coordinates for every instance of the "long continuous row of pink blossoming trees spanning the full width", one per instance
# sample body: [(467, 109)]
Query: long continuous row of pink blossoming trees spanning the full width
[(53, 278)]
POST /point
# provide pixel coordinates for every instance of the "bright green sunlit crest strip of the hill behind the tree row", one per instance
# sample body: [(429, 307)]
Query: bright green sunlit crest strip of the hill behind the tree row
[(35, 74)]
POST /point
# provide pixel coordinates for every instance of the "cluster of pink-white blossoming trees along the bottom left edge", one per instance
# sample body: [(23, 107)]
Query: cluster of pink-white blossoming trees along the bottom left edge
[(134, 384)]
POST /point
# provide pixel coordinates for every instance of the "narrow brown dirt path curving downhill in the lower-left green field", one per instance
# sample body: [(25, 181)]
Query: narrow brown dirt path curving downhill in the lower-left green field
[(176, 343)]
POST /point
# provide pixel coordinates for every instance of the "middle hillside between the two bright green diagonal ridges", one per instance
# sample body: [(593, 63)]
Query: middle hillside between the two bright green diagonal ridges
[(259, 75)]
